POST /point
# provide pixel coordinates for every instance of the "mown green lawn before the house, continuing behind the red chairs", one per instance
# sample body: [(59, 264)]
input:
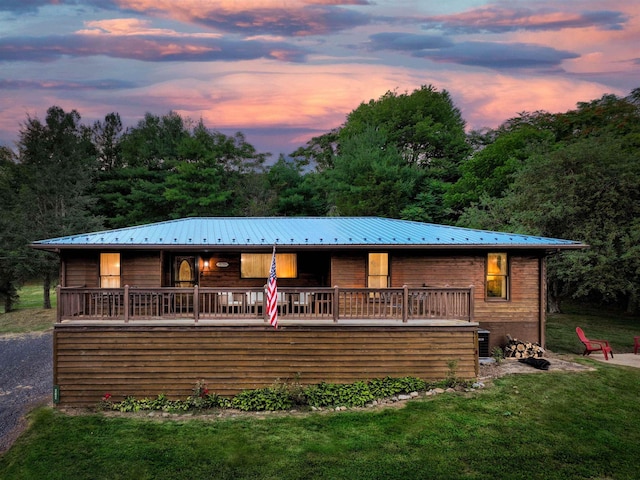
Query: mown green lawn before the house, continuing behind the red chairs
[(548, 425)]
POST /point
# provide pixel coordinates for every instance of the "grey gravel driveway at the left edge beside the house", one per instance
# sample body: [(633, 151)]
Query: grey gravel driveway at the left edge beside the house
[(26, 379)]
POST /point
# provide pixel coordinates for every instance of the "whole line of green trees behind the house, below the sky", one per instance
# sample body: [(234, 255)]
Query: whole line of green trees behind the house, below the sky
[(573, 175)]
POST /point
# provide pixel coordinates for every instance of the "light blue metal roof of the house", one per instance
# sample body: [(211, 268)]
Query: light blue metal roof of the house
[(228, 232)]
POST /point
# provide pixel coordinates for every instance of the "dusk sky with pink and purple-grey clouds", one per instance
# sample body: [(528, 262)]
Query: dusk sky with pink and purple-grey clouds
[(283, 71)]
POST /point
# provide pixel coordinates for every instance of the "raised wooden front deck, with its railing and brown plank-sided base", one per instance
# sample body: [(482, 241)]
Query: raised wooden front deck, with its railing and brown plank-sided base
[(146, 342)]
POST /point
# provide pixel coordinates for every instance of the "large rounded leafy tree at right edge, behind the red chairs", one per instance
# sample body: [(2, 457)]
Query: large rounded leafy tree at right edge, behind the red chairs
[(590, 191)]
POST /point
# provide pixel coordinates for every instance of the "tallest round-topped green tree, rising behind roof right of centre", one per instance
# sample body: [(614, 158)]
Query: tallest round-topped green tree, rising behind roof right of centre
[(423, 129)]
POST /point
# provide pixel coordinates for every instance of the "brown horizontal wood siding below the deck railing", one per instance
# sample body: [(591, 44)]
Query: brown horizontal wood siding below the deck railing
[(147, 361)]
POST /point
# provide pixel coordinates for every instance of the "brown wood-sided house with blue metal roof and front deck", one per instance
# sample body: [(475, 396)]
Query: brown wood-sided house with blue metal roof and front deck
[(154, 308)]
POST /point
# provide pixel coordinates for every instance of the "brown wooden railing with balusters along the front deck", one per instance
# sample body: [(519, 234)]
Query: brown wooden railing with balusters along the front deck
[(132, 303)]
